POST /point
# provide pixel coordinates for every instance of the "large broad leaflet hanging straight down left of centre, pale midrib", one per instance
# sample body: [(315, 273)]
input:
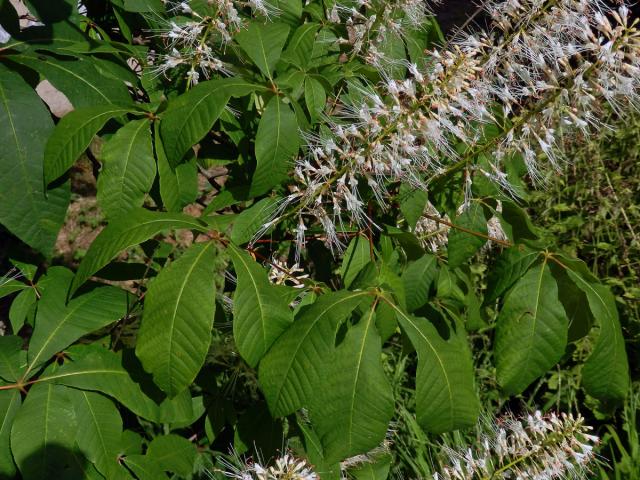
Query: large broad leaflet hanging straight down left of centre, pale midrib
[(179, 307)]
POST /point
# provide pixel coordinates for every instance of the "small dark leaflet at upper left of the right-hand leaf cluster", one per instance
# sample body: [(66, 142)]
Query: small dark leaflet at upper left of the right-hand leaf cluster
[(512, 264)]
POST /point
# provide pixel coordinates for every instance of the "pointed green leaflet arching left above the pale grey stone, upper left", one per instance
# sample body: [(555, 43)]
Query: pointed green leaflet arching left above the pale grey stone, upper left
[(79, 80)]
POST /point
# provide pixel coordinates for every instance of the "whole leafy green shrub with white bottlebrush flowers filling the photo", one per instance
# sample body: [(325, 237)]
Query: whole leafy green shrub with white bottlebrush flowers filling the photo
[(364, 162)]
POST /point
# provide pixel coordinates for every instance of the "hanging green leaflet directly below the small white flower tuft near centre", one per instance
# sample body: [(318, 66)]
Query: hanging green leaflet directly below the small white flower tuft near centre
[(260, 314)]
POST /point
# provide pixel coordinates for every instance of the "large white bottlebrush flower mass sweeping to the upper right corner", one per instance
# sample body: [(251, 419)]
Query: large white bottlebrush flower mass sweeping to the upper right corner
[(547, 69)]
